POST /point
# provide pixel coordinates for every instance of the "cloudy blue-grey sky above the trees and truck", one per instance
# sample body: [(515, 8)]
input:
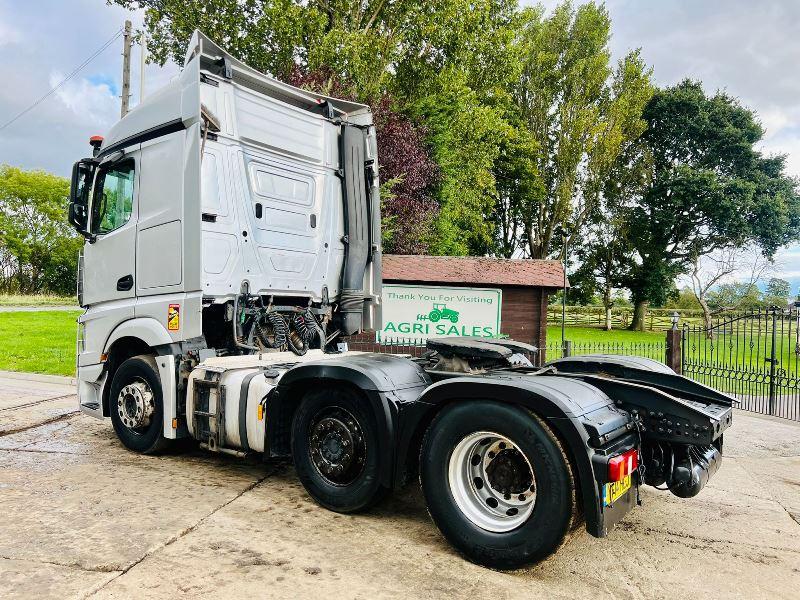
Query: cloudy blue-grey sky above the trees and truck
[(749, 49)]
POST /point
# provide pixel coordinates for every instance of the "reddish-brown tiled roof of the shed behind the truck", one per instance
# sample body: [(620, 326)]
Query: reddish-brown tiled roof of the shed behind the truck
[(469, 270)]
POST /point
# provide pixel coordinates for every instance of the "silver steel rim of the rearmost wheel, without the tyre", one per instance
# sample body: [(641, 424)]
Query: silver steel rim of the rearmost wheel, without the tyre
[(495, 496)]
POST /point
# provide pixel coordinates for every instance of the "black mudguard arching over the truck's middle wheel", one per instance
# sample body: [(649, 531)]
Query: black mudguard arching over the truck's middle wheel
[(390, 383)]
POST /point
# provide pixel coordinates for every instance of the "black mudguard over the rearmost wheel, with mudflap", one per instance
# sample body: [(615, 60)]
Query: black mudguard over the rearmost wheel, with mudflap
[(581, 416)]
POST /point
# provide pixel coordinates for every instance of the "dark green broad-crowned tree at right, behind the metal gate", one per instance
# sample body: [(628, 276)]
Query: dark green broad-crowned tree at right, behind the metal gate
[(706, 188)]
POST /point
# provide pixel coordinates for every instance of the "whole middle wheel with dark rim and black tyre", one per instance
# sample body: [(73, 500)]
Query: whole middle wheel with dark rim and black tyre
[(335, 451)]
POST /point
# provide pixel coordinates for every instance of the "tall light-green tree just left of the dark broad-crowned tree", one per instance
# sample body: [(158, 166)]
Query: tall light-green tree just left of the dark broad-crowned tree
[(580, 114)]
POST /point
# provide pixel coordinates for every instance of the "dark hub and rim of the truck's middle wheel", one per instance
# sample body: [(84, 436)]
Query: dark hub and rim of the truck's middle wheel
[(337, 446)]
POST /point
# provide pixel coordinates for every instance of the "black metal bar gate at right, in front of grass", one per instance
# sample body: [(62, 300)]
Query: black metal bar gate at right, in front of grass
[(753, 356)]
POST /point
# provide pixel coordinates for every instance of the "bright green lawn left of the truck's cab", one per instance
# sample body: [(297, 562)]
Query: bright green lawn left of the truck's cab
[(38, 342)]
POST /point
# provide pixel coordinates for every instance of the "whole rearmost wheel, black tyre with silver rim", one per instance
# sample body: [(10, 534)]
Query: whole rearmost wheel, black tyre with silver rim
[(497, 483)]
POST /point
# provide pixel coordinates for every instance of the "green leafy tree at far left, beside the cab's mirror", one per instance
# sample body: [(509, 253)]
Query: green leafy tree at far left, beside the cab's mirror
[(38, 249)]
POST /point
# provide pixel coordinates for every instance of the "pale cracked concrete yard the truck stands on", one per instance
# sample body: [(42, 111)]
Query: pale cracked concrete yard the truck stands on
[(83, 517)]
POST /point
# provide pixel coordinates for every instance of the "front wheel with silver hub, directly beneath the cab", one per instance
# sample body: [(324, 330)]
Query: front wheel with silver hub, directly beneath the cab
[(136, 405)]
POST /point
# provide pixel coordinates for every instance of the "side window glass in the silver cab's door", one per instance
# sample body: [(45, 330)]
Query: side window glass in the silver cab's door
[(112, 203)]
